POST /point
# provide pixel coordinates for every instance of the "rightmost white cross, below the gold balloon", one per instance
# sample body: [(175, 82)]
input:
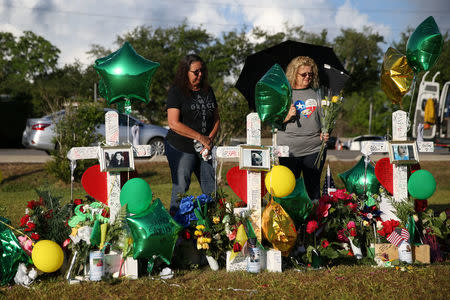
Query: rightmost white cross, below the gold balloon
[(400, 172)]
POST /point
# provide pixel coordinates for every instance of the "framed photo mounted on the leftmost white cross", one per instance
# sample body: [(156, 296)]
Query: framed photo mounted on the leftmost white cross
[(116, 159)]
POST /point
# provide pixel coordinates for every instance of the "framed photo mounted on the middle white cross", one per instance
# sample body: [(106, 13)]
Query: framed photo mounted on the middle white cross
[(254, 158)]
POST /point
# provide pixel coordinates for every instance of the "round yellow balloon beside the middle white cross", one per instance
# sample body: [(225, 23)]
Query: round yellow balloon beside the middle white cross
[(280, 181)]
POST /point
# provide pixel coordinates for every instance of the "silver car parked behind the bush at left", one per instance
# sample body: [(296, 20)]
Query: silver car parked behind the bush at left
[(39, 133)]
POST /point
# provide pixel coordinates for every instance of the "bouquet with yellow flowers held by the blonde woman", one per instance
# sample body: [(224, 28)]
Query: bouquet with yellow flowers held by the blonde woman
[(329, 112)]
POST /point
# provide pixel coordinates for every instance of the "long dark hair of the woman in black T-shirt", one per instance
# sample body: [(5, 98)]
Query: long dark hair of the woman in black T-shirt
[(181, 78)]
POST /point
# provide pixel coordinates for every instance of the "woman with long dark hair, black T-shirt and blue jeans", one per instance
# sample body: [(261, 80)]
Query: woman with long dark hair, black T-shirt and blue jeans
[(193, 117)]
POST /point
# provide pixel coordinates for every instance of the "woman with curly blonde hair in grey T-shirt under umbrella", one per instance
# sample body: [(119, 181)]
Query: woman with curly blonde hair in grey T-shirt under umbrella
[(302, 125)]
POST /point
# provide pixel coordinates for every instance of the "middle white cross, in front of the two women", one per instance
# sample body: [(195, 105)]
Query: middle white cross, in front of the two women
[(253, 178)]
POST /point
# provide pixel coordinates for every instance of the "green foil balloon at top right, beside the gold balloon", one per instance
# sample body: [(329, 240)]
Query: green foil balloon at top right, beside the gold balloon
[(424, 46)]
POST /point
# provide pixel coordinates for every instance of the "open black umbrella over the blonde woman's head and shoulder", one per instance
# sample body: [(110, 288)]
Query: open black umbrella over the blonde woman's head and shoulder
[(257, 64)]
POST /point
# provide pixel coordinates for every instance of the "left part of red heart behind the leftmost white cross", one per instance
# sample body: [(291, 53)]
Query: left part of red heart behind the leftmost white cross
[(95, 184)]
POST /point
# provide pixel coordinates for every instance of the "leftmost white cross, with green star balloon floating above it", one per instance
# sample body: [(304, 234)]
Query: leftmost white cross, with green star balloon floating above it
[(113, 178)]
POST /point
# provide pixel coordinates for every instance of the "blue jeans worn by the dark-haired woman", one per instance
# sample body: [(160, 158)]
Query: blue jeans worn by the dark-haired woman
[(182, 165)]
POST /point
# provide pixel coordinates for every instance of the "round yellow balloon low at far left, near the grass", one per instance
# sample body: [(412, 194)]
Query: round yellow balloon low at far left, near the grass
[(47, 256)]
